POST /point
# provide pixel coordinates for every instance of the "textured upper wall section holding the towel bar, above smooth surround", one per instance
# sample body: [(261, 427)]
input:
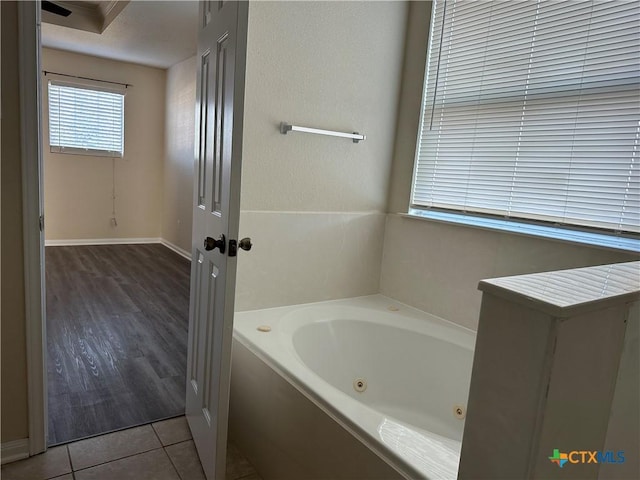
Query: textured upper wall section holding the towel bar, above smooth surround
[(332, 65)]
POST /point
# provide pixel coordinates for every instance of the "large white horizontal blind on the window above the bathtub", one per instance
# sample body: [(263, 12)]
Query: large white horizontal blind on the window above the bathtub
[(531, 110)]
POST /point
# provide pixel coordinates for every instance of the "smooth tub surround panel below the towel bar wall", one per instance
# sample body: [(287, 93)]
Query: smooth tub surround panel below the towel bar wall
[(301, 257)]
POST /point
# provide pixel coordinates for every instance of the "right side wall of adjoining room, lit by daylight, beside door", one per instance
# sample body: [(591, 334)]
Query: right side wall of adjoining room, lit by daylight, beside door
[(179, 154)]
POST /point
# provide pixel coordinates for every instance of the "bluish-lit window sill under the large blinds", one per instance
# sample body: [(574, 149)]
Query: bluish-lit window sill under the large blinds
[(601, 240)]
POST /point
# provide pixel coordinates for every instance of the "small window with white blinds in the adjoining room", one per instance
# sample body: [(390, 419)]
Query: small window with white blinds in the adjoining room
[(85, 120)]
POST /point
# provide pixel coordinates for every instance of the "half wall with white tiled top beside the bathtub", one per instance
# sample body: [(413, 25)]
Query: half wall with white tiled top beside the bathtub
[(554, 352)]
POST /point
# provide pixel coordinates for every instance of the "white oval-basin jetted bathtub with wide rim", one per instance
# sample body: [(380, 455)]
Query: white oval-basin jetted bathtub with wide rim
[(415, 368)]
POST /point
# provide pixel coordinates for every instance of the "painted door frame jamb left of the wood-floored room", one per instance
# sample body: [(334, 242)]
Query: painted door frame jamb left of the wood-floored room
[(33, 238)]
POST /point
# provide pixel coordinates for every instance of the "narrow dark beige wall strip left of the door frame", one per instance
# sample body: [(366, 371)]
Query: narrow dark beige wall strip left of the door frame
[(14, 362)]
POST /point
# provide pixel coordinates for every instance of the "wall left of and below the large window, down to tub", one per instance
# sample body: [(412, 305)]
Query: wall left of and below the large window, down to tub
[(435, 266)]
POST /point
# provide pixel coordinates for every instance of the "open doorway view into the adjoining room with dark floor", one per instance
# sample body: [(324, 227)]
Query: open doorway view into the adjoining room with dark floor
[(118, 227)]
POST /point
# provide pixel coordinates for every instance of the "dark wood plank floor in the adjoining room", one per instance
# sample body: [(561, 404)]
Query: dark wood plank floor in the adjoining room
[(117, 320)]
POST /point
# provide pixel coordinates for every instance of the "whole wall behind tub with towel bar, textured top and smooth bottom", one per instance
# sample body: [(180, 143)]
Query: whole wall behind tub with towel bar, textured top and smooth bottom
[(314, 205)]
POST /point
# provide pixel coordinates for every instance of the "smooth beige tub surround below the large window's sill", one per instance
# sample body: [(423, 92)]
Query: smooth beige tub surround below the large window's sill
[(436, 266)]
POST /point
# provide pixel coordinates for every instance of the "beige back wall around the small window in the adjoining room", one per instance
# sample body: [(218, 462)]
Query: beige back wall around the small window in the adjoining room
[(78, 188)]
